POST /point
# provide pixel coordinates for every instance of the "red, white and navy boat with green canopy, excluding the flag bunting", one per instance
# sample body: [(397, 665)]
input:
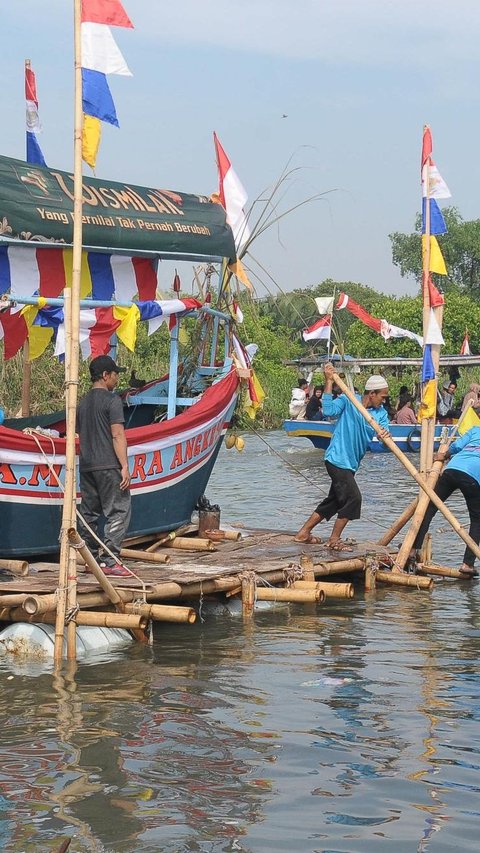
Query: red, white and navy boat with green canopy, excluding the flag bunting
[(171, 460)]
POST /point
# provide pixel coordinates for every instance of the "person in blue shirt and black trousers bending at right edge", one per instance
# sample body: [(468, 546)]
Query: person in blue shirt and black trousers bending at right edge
[(462, 472)]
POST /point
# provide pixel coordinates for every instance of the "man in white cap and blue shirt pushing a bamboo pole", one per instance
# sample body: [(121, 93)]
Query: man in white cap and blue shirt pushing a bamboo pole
[(346, 450)]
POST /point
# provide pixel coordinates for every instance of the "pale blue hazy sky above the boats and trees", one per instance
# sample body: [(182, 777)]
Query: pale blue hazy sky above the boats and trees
[(355, 79)]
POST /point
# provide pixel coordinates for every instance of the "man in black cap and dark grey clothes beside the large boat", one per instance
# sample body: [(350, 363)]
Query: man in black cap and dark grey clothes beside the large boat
[(104, 474)]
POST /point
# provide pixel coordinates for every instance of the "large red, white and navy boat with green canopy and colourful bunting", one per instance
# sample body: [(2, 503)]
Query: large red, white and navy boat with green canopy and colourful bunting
[(174, 425)]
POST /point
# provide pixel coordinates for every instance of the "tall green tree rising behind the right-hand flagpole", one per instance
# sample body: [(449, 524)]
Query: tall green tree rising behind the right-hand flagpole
[(460, 248)]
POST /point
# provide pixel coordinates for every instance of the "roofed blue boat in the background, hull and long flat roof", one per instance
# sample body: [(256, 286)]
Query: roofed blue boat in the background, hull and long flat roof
[(407, 437)]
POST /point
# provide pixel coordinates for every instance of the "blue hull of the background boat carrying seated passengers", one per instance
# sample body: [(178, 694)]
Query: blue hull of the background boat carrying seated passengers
[(406, 437)]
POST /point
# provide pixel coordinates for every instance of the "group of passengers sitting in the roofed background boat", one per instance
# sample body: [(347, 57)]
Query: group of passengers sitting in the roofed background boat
[(306, 402)]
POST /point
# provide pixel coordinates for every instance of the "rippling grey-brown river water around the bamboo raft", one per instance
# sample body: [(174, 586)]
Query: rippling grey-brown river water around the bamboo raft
[(352, 727)]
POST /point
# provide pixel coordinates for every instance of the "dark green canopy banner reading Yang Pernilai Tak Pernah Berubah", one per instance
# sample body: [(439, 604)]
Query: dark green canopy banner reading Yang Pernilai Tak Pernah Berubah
[(36, 204)]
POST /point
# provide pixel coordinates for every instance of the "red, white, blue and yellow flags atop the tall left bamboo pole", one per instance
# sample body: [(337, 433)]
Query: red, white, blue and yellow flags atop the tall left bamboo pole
[(100, 56)]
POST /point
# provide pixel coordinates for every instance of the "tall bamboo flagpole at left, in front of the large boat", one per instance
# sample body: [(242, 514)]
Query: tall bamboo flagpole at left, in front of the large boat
[(67, 574)]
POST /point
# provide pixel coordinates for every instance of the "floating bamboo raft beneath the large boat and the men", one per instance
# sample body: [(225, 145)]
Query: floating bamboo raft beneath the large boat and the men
[(172, 575)]
